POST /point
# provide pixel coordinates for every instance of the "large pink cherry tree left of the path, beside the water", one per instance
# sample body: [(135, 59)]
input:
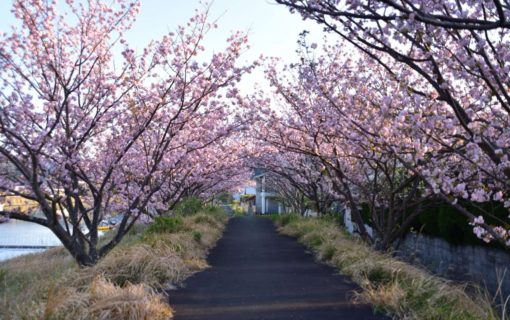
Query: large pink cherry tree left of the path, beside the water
[(91, 135)]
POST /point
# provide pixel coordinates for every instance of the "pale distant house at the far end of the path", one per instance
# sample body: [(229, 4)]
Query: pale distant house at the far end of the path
[(267, 200)]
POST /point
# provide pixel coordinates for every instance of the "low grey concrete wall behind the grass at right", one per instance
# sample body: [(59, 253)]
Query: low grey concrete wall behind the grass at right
[(472, 263)]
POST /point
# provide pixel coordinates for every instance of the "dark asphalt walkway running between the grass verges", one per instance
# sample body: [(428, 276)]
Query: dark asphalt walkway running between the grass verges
[(258, 274)]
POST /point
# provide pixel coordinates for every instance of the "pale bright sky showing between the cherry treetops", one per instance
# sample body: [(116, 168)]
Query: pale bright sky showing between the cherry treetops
[(273, 30)]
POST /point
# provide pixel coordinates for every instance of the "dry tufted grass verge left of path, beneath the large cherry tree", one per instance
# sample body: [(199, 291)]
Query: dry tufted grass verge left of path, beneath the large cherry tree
[(126, 284)]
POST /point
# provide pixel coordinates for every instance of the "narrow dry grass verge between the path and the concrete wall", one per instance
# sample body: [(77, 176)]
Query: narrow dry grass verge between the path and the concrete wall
[(390, 285)]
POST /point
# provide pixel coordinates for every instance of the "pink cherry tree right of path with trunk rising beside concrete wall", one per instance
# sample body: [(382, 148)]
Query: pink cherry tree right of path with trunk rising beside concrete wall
[(377, 144)]
